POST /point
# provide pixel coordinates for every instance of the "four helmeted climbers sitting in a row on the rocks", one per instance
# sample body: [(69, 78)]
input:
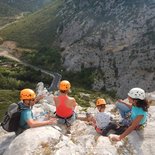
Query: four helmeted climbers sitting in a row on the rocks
[(134, 114)]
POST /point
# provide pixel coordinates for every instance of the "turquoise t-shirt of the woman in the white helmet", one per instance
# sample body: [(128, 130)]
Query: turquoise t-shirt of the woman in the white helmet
[(136, 111)]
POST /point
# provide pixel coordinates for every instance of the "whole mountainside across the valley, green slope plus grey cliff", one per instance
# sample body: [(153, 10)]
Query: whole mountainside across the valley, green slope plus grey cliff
[(114, 39)]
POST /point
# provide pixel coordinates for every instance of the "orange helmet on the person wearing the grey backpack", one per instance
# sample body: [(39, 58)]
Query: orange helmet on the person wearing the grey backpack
[(27, 94)]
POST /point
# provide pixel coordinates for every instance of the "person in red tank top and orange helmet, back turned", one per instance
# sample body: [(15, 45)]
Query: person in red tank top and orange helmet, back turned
[(65, 105)]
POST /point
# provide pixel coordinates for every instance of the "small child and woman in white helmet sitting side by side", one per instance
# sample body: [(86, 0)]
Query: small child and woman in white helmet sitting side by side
[(134, 116)]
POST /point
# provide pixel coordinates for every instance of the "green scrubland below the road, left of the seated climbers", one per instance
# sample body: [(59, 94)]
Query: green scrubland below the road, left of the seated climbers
[(13, 78)]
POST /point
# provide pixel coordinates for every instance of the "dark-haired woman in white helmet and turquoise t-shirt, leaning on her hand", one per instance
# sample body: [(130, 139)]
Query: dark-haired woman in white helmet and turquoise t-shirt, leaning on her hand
[(139, 112)]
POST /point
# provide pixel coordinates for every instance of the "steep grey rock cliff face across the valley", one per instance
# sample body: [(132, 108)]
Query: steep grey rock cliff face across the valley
[(115, 38)]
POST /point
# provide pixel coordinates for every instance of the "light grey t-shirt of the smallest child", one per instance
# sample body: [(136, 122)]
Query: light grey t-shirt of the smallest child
[(103, 119)]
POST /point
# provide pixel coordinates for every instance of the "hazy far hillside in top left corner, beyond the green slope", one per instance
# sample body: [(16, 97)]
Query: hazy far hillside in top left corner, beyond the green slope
[(11, 10)]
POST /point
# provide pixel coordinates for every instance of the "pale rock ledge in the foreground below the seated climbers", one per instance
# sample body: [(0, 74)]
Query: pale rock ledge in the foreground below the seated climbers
[(82, 140)]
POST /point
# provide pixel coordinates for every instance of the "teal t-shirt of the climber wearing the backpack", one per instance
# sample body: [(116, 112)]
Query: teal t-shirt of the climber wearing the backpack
[(26, 114)]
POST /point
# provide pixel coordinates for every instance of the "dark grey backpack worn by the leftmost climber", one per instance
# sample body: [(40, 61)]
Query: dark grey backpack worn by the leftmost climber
[(10, 122)]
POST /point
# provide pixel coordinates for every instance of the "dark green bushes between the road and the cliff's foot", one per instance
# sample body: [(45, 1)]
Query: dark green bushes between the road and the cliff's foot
[(50, 59)]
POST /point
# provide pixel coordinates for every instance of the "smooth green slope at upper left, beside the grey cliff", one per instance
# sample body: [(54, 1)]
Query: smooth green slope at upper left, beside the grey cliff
[(35, 30)]
